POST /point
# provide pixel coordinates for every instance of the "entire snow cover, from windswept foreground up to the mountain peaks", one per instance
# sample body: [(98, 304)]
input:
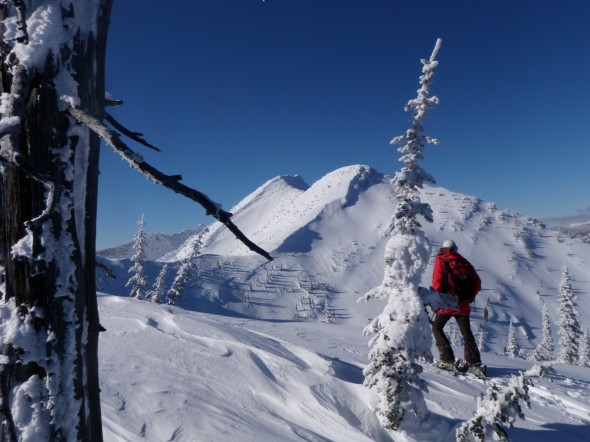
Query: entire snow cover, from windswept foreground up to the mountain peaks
[(247, 355)]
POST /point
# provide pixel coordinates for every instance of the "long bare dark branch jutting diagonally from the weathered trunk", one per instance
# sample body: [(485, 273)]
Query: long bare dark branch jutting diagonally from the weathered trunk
[(169, 181)]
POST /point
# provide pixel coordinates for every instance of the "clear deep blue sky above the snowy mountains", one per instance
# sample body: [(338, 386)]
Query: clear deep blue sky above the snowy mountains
[(236, 92)]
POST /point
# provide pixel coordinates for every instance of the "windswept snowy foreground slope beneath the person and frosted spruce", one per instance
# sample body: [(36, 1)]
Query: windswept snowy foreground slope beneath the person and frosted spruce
[(168, 374)]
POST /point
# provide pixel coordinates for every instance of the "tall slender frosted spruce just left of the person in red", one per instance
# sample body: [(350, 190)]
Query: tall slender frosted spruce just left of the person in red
[(401, 333)]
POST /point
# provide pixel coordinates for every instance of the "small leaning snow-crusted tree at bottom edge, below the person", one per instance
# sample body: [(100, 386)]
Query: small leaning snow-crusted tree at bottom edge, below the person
[(501, 406)]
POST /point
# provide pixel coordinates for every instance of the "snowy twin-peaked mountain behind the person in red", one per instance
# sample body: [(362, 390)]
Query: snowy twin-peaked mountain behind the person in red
[(328, 240)]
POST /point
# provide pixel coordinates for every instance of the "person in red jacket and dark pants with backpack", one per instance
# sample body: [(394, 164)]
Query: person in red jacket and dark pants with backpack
[(448, 257)]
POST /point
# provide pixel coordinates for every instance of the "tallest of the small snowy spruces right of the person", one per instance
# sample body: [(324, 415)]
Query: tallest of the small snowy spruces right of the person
[(569, 330)]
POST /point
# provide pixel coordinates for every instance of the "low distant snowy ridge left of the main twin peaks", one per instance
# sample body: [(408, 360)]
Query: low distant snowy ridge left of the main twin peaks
[(157, 245)]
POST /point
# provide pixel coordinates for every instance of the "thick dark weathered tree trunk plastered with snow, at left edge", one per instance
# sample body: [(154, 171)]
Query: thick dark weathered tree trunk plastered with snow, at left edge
[(48, 200)]
